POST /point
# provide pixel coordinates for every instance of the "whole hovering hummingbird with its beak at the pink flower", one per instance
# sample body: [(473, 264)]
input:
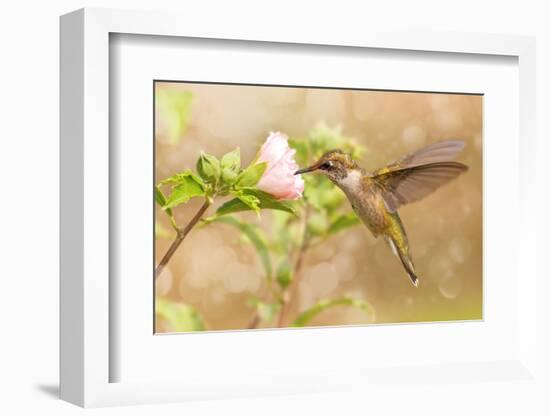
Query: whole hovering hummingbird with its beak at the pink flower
[(376, 196)]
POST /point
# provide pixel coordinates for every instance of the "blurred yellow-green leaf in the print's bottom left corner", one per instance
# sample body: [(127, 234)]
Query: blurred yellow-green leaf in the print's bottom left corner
[(180, 316)]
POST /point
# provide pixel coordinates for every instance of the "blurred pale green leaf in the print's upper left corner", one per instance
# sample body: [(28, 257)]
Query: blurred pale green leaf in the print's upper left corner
[(174, 108)]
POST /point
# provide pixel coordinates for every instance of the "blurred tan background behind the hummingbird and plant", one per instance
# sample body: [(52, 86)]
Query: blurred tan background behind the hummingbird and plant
[(217, 275)]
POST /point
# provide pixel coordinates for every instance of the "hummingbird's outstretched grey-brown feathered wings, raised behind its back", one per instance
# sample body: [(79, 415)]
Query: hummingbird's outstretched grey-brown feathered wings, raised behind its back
[(418, 174)]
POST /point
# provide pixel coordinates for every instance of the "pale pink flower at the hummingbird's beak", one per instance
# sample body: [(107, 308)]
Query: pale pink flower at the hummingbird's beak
[(279, 179)]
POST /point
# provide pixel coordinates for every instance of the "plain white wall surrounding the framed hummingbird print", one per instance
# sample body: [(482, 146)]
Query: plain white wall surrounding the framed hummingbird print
[(29, 172)]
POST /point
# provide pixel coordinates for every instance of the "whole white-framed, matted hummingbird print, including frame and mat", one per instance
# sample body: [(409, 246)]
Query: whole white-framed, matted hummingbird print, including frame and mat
[(280, 213)]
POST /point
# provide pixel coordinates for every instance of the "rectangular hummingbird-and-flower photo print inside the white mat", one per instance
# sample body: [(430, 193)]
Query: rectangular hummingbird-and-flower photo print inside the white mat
[(276, 249)]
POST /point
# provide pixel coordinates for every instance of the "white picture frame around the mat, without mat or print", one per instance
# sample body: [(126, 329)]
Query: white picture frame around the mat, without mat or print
[(86, 355)]
